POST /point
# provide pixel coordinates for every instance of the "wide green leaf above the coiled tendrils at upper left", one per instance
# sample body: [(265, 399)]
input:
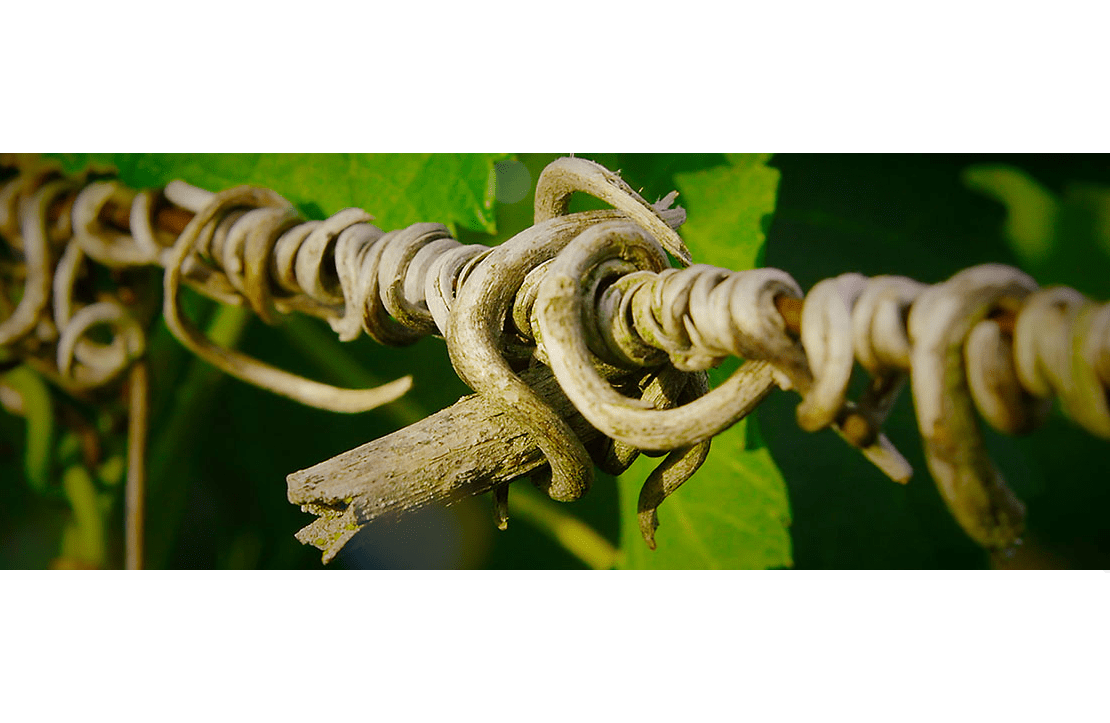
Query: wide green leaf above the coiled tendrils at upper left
[(397, 189)]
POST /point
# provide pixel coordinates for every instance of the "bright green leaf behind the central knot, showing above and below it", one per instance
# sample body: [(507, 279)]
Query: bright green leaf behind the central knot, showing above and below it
[(734, 514)]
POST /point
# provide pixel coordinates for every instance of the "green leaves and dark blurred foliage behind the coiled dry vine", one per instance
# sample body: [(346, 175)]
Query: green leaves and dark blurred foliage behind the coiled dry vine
[(771, 496)]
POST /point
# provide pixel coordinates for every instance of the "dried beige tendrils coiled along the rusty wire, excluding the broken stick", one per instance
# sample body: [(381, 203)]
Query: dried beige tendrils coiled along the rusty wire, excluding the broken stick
[(593, 297)]
